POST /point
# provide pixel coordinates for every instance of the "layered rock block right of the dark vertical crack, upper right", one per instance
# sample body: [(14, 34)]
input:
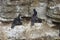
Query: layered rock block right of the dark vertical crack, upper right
[(54, 10)]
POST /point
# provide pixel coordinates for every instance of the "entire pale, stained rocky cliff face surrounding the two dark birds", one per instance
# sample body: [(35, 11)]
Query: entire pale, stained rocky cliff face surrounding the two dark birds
[(9, 9)]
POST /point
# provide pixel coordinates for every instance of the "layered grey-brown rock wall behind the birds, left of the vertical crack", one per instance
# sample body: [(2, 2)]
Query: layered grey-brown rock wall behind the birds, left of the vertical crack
[(23, 7)]
